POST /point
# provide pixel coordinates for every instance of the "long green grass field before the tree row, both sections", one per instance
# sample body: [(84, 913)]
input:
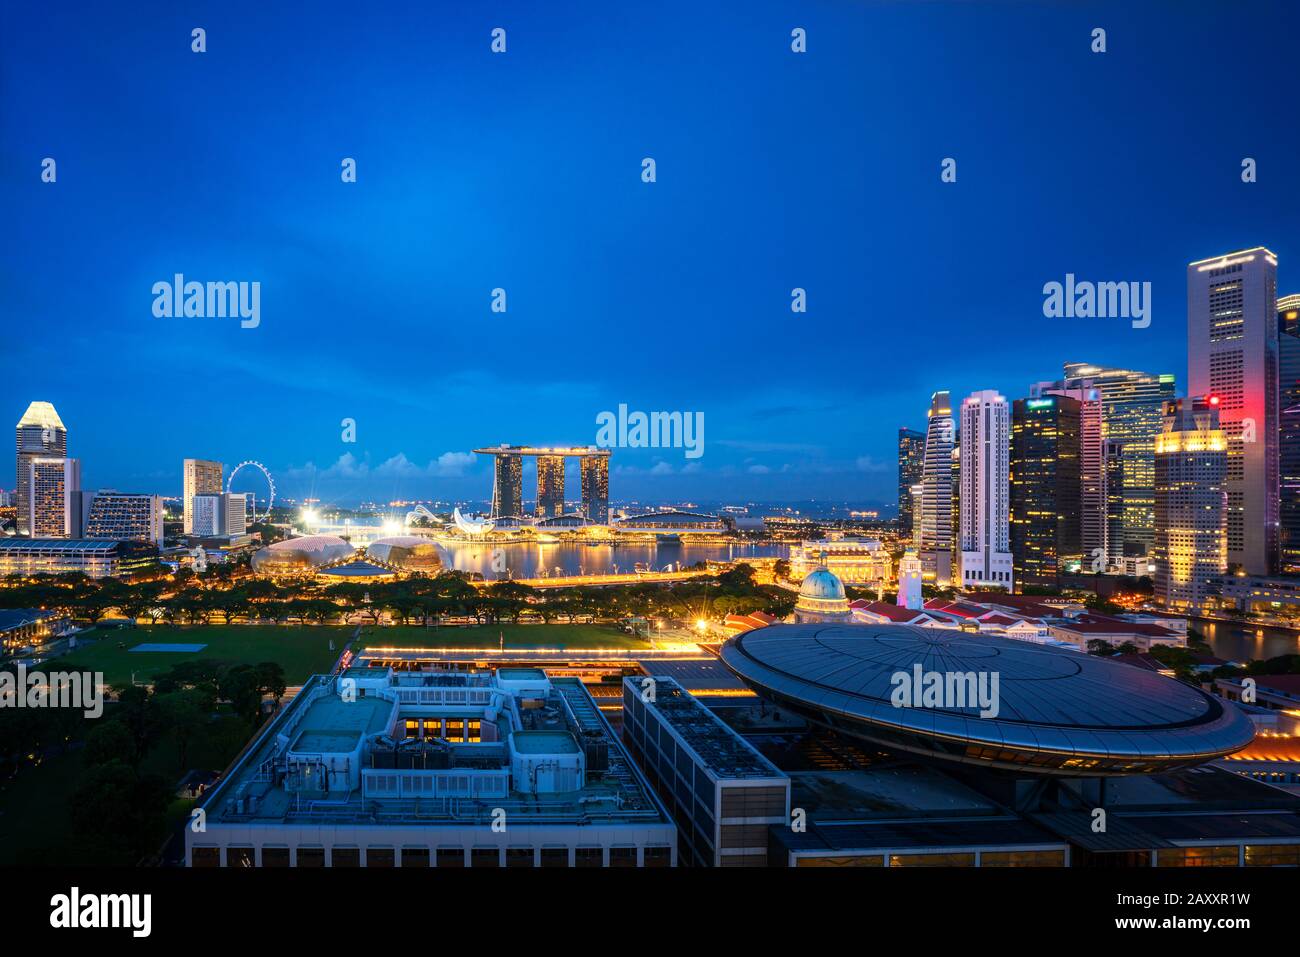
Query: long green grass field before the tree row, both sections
[(304, 651)]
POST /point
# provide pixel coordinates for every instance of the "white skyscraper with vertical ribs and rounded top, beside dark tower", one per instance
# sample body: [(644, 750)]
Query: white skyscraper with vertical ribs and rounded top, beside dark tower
[(985, 526)]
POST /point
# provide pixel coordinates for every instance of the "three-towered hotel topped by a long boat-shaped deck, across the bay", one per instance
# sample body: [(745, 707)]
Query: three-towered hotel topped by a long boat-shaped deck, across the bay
[(508, 491)]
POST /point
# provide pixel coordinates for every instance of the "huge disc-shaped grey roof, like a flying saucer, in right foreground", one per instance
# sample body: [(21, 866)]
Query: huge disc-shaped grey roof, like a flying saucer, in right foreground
[(1056, 712)]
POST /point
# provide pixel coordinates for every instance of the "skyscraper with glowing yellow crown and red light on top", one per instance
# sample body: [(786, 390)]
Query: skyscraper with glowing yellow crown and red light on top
[(1191, 465)]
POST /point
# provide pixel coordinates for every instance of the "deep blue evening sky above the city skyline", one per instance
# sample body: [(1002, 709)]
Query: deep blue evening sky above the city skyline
[(522, 171)]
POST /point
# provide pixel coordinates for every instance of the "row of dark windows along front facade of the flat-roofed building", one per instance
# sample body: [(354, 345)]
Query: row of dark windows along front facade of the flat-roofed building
[(653, 856)]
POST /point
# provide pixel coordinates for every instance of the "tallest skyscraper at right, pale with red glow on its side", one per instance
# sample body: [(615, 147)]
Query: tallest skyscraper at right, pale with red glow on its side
[(1233, 357)]
